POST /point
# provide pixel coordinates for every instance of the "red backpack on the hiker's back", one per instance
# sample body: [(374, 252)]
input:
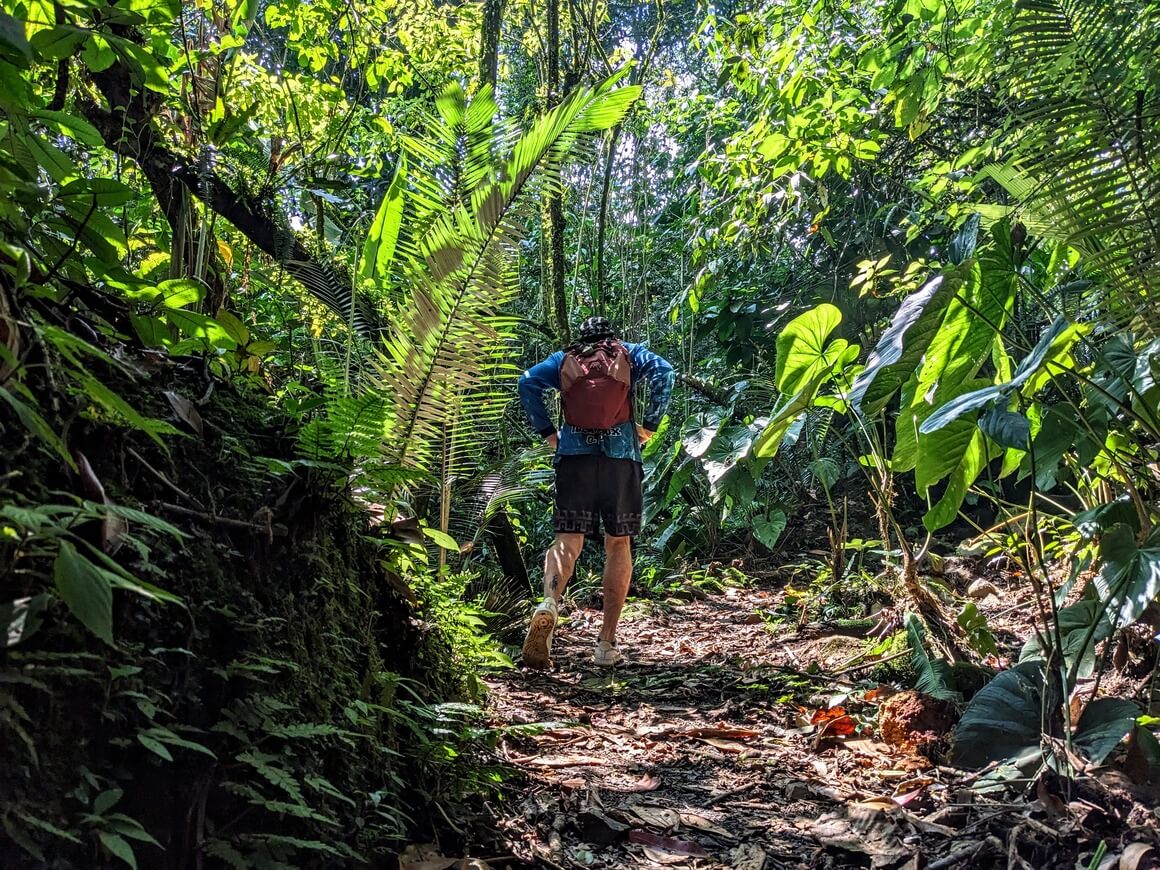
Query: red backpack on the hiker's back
[(596, 382)]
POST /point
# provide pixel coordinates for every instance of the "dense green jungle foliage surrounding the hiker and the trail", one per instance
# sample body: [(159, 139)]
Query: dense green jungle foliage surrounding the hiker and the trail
[(270, 271)]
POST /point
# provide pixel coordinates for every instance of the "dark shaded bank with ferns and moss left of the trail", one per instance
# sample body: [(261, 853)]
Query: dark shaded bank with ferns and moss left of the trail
[(292, 709)]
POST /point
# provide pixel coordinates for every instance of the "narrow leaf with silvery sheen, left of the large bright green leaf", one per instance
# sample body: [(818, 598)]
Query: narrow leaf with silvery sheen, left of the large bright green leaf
[(901, 349)]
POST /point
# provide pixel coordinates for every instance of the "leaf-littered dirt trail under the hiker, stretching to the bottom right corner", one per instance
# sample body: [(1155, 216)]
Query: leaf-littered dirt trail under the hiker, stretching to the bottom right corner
[(701, 753)]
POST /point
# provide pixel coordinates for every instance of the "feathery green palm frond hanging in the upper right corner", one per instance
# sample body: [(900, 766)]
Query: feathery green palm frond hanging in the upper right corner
[(1085, 89)]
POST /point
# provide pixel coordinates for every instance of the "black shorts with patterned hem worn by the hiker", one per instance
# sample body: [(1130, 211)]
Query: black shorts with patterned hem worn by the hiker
[(594, 488)]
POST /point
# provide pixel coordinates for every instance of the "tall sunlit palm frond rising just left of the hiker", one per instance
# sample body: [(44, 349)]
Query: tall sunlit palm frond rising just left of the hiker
[(449, 340)]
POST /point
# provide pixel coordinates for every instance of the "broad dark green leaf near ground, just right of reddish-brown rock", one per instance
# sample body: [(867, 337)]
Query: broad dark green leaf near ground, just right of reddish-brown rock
[(1003, 721)]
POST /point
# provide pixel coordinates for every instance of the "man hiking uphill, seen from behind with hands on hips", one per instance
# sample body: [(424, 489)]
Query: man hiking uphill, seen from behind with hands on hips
[(598, 468)]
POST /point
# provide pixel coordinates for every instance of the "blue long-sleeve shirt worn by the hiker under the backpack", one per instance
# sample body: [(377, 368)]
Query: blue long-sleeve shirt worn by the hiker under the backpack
[(620, 443)]
